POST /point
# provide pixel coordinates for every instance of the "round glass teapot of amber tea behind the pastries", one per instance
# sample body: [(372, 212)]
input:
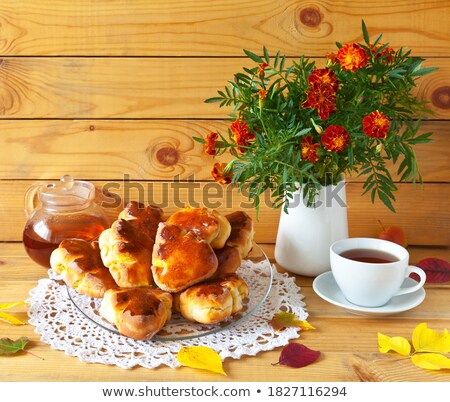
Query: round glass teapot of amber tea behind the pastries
[(58, 211)]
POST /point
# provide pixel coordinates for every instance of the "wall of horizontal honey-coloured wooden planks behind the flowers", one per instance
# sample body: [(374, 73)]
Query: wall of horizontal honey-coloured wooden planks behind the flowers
[(102, 89)]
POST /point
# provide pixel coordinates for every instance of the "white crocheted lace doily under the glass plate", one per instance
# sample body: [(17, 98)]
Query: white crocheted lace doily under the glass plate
[(63, 326)]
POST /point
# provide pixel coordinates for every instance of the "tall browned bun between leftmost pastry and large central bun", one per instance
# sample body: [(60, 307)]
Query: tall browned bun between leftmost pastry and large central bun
[(127, 252)]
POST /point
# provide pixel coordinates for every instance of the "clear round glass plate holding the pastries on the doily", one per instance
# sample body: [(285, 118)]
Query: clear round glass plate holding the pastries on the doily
[(256, 271)]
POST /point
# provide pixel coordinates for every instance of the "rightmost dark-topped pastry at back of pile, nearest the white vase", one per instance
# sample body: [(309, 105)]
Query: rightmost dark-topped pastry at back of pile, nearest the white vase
[(242, 232)]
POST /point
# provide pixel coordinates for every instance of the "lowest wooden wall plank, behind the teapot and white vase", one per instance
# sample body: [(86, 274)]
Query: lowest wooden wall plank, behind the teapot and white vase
[(416, 209)]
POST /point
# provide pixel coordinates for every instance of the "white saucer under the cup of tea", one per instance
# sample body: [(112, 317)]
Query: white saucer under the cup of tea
[(326, 287)]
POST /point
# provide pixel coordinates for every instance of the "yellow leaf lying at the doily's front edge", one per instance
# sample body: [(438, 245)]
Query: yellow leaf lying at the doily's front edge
[(201, 357)]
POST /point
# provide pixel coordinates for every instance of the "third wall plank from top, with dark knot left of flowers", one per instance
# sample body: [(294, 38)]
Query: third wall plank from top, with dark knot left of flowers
[(156, 149)]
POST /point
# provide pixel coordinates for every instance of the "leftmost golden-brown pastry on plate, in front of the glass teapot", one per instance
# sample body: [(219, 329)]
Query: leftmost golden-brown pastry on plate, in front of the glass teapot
[(80, 266)]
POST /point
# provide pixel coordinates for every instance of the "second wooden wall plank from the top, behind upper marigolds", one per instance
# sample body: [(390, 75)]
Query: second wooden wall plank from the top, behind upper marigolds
[(144, 87)]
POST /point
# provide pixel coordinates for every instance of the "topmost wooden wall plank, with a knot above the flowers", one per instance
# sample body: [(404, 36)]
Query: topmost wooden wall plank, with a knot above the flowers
[(214, 27)]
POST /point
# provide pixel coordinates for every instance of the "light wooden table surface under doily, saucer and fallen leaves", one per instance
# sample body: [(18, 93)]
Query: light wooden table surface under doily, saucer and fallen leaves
[(348, 343)]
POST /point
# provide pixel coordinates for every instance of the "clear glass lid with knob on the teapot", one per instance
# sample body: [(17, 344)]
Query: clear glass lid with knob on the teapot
[(66, 193)]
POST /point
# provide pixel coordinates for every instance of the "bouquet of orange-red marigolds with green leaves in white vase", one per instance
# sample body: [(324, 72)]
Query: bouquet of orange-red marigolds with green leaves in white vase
[(302, 126)]
